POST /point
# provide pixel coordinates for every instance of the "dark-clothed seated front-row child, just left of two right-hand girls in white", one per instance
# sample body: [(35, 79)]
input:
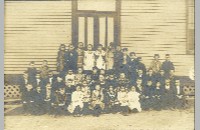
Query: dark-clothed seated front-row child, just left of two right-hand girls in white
[(110, 100)]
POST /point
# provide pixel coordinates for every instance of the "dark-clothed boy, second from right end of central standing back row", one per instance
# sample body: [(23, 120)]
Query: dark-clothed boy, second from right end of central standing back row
[(133, 67)]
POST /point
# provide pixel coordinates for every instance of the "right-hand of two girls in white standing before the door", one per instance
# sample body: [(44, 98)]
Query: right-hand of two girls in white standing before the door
[(100, 57)]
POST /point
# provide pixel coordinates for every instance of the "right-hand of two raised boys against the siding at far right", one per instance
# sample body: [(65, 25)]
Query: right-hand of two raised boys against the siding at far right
[(167, 65)]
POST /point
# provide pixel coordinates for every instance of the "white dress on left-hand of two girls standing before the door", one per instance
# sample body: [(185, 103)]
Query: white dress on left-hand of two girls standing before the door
[(88, 60)]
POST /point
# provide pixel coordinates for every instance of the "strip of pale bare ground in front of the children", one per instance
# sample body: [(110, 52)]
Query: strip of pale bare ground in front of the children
[(146, 120)]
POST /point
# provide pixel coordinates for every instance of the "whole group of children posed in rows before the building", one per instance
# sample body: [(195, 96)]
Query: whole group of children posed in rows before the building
[(101, 81)]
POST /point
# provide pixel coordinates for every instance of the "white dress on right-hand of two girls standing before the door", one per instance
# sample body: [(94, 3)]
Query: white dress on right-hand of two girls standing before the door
[(100, 59)]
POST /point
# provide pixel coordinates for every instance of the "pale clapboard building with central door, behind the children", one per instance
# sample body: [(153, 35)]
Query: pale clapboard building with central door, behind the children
[(35, 29)]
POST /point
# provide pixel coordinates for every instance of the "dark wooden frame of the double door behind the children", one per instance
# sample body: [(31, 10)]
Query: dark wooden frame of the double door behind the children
[(96, 14)]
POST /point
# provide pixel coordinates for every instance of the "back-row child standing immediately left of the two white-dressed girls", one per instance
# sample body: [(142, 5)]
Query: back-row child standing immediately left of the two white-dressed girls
[(80, 52)]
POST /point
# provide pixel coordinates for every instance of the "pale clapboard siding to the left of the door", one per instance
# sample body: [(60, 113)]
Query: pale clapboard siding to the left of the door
[(33, 32)]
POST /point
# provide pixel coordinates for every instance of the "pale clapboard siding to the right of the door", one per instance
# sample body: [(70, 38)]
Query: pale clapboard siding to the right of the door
[(157, 26)]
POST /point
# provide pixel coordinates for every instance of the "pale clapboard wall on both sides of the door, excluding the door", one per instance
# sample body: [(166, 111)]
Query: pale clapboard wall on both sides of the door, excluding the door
[(35, 29)]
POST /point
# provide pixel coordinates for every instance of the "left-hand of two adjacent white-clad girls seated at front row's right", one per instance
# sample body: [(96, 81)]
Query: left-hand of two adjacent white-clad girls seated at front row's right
[(122, 97)]
